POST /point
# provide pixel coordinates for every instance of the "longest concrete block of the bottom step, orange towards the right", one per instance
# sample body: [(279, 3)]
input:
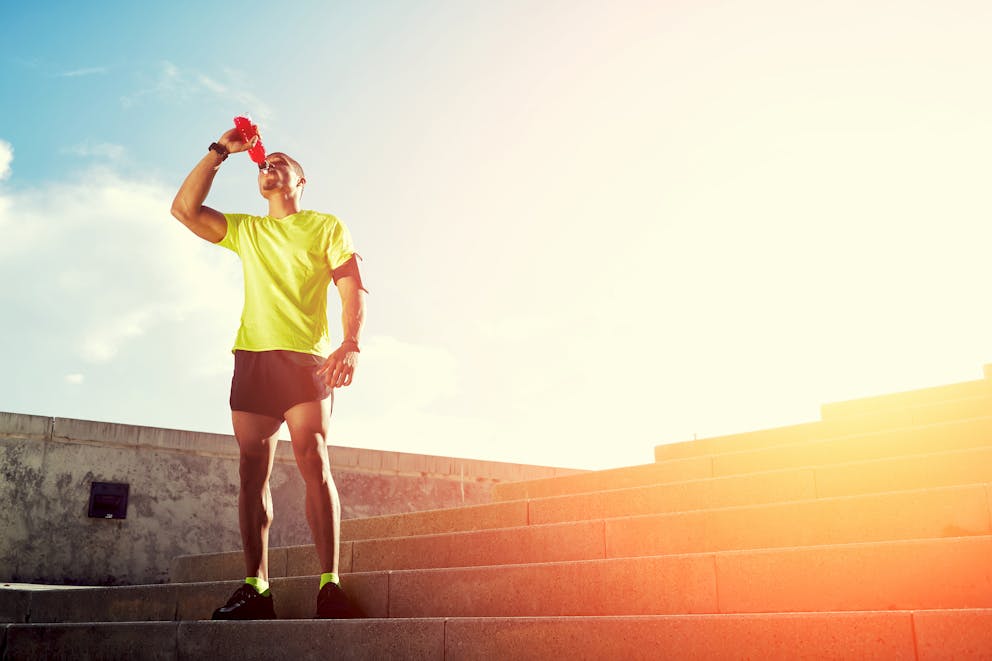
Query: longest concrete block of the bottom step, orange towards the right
[(785, 637)]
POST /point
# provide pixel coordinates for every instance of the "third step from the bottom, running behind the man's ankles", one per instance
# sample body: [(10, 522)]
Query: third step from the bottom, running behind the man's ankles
[(925, 513)]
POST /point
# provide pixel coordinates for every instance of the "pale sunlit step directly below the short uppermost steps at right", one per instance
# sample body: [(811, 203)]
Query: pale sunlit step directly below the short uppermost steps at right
[(830, 427)]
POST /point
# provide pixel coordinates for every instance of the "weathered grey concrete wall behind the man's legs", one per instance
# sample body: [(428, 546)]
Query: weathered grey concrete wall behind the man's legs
[(183, 496)]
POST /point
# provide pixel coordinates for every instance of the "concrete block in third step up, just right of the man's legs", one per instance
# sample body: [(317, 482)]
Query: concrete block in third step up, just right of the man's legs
[(551, 543)]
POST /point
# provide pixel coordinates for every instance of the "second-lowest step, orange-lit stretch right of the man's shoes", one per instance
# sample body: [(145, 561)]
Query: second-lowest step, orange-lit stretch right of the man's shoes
[(907, 575)]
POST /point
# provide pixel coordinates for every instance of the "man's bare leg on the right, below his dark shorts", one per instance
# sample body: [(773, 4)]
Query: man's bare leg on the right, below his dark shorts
[(308, 426)]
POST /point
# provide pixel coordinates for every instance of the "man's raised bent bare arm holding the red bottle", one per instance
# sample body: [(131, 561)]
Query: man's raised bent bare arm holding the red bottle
[(206, 223)]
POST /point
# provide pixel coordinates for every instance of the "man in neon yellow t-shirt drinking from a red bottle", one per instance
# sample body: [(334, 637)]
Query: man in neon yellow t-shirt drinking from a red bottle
[(289, 257)]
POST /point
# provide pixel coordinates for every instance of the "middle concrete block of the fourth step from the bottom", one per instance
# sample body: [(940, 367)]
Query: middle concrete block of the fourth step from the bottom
[(677, 497)]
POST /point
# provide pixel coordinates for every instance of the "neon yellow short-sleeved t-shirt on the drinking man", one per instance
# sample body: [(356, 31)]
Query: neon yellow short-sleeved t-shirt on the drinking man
[(287, 264)]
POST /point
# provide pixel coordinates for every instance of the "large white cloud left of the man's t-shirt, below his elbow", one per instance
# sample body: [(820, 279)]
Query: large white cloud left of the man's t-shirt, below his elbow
[(117, 265)]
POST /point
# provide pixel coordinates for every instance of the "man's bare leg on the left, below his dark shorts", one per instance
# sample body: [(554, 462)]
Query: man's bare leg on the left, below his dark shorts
[(258, 436)]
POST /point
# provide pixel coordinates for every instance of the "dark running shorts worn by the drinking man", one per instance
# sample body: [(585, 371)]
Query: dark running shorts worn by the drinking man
[(272, 382)]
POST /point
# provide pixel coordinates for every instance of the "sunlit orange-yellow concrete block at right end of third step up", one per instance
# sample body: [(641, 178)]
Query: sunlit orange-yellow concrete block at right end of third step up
[(947, 512)]
